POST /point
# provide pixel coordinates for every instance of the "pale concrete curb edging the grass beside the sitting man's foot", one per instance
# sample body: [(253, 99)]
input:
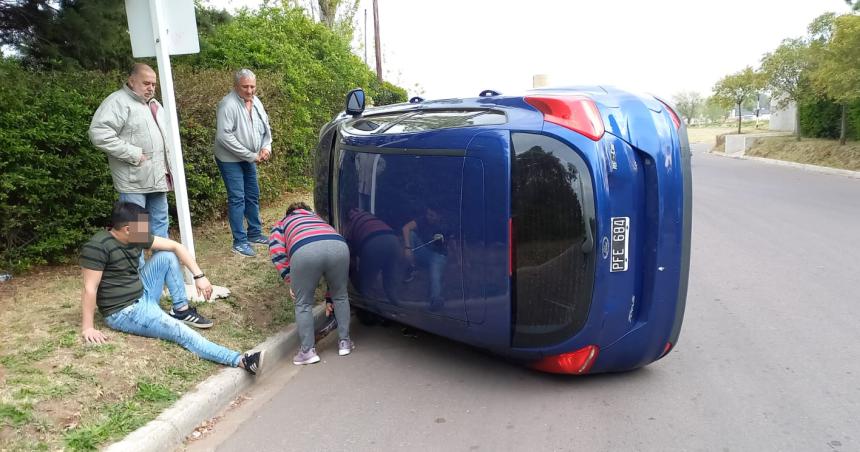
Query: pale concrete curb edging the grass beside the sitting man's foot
[(169, 429)]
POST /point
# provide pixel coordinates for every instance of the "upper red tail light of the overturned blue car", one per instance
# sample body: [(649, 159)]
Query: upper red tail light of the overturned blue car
[(576, 113)]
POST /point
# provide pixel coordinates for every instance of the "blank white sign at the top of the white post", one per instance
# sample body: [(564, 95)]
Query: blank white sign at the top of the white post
[(179, 22)]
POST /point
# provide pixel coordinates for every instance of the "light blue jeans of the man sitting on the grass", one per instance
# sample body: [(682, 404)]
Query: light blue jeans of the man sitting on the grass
[(145, 317)]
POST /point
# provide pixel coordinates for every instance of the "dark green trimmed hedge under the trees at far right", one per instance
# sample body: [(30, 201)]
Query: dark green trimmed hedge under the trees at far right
[(820, 118)]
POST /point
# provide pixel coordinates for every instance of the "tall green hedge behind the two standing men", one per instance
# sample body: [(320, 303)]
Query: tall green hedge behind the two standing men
[(56, 187)]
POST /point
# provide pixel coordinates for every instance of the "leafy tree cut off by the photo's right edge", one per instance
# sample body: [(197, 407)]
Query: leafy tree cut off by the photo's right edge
[(837, 74)]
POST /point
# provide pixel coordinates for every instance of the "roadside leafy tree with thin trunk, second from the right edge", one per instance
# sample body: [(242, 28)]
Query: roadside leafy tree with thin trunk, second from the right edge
[(786, 73)]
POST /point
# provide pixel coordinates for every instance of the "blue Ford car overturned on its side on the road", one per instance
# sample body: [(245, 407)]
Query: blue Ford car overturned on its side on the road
[(551, 228)]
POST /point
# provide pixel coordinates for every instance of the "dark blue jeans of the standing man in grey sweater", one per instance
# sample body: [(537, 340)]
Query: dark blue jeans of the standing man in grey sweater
[(243, 199)]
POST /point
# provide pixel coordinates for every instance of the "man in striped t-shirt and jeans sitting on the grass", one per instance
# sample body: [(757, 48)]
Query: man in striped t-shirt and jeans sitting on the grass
[(127, 296)]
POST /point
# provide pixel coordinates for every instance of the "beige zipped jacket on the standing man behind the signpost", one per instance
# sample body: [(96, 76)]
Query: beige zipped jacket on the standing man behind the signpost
[(124, 128)]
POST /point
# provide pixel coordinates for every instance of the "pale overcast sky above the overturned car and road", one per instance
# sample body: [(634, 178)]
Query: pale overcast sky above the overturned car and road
[(454, 48)]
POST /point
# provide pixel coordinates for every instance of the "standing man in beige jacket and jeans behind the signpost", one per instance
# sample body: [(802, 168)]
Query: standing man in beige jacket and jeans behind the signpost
[(130, 127)]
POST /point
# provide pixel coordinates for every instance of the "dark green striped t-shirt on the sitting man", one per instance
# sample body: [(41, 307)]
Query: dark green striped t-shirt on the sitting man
[(120, 285)]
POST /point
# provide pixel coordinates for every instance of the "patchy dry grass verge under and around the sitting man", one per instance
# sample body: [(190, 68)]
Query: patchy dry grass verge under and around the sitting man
[(56, 392)]
